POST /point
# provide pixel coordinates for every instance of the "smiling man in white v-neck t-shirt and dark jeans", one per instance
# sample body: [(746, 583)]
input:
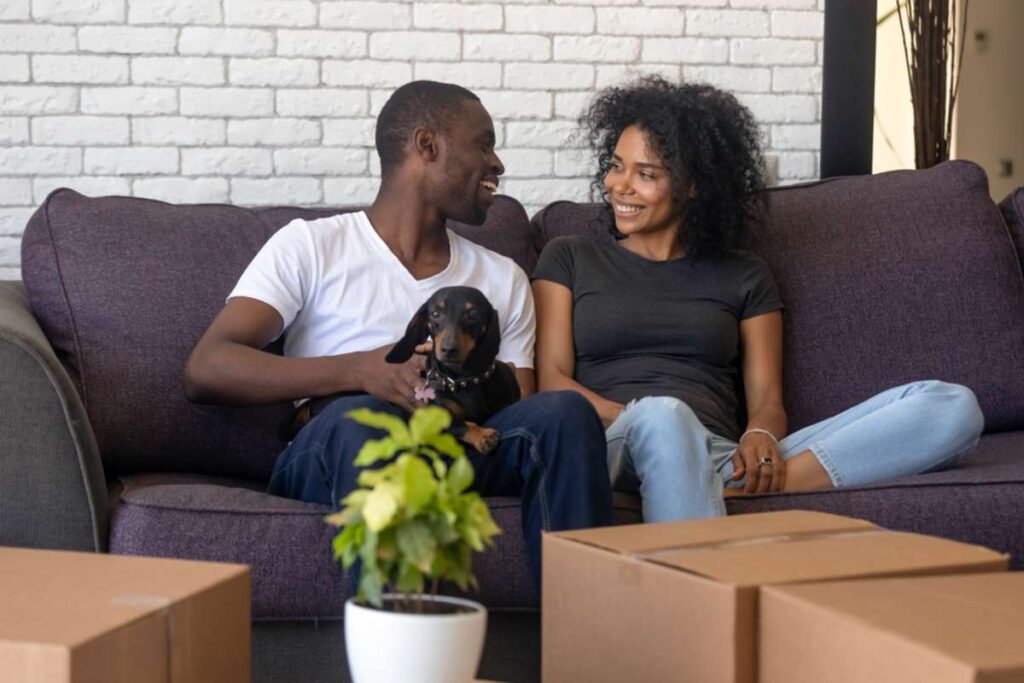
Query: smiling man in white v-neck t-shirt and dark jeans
[(343, 290)]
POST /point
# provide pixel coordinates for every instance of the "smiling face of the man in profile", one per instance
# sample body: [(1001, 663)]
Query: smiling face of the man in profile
[(470, 168)]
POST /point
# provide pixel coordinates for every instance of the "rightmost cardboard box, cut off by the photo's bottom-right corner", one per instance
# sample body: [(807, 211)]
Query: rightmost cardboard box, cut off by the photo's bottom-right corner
[(938, 630)]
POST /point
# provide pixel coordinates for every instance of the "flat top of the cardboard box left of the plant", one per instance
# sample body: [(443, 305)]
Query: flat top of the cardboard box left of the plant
[(67, 599)]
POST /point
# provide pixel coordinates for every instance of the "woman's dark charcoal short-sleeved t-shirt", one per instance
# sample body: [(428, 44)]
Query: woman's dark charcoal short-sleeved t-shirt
[(646, 328)]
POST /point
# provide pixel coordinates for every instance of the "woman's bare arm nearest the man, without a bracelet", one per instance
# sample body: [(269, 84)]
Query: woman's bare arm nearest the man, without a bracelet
[(556, 352)]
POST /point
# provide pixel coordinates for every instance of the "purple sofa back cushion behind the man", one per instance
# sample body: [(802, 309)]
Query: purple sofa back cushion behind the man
[(125, 287)]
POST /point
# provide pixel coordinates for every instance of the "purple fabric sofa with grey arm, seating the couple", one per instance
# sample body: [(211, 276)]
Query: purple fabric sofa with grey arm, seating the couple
[(887, 279)]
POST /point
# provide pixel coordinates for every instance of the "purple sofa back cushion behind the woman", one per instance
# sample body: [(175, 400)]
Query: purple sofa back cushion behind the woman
[(887, 279)]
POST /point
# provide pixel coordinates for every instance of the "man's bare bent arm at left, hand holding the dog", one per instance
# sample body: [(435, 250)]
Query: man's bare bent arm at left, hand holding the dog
[(230, 366)]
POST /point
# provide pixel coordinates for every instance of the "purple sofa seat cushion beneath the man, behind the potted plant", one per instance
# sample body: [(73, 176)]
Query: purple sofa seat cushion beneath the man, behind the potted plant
[(286, 542)]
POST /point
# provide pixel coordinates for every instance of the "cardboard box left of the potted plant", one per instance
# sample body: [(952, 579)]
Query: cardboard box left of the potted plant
[(86, 617)]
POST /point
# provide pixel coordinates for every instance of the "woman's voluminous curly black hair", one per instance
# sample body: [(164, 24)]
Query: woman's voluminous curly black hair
[(708, 141)]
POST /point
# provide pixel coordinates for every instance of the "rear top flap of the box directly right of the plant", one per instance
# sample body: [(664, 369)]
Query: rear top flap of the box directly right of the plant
[(643, 539)]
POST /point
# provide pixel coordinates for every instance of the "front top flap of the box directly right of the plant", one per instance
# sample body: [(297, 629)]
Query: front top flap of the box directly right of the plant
[(831, 557)]
